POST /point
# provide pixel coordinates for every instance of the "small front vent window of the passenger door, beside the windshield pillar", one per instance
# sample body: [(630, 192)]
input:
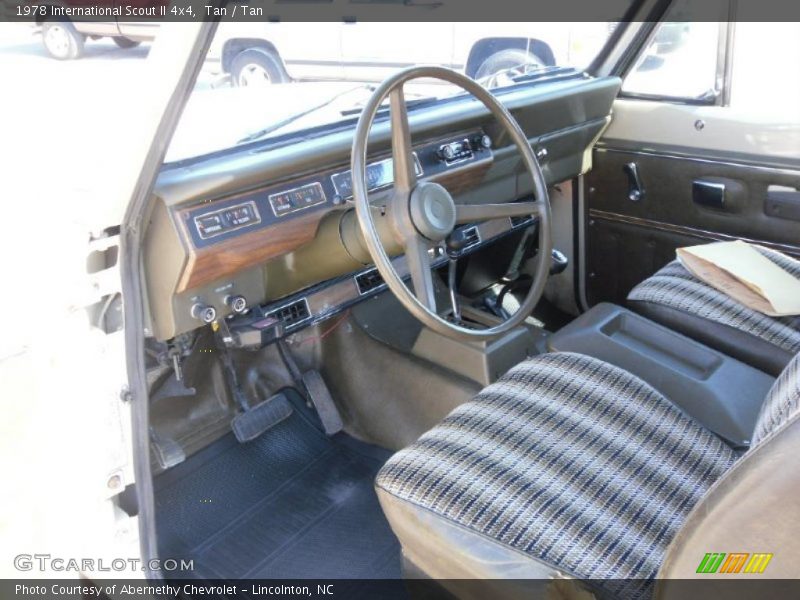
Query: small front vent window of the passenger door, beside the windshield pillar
[(682, 63)]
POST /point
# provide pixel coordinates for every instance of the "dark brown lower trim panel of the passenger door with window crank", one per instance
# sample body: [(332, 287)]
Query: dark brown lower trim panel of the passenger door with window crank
[(629, 240)]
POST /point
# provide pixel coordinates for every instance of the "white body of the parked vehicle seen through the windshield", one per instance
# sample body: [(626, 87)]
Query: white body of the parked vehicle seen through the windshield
[(358, 51)]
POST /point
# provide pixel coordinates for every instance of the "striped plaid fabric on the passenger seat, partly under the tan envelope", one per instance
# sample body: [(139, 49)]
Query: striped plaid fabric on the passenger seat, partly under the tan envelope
[(676, 288)]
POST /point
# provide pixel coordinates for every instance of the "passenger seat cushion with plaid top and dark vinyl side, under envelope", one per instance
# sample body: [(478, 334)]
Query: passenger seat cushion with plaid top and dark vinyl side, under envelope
[(678, 300)]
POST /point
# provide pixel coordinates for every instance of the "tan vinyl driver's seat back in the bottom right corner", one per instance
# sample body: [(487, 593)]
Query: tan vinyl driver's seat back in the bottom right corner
[(753, 508)]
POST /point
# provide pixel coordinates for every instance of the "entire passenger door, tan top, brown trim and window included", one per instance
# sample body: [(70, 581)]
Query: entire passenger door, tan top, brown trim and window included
[(718, 165)]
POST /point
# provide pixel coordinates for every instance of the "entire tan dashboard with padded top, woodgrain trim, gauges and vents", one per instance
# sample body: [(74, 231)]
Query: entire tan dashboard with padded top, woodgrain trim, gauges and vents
[(259, 231)]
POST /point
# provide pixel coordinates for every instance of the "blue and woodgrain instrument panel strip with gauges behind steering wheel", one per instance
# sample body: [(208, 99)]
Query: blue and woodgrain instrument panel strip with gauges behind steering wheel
[(250, 228)]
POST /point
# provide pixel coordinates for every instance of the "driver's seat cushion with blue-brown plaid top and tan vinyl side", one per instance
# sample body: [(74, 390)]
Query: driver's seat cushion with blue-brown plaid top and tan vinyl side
[(567, 461)]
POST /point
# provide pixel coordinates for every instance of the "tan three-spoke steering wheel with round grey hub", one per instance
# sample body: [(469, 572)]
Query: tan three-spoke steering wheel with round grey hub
[(422, 214)]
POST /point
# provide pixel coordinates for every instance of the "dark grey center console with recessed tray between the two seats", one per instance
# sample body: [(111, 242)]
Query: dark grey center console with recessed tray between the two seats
[(721, 393)]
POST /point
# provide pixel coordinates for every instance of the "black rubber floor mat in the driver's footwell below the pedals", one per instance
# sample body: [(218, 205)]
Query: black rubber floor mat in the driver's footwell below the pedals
[(292, 504)]
